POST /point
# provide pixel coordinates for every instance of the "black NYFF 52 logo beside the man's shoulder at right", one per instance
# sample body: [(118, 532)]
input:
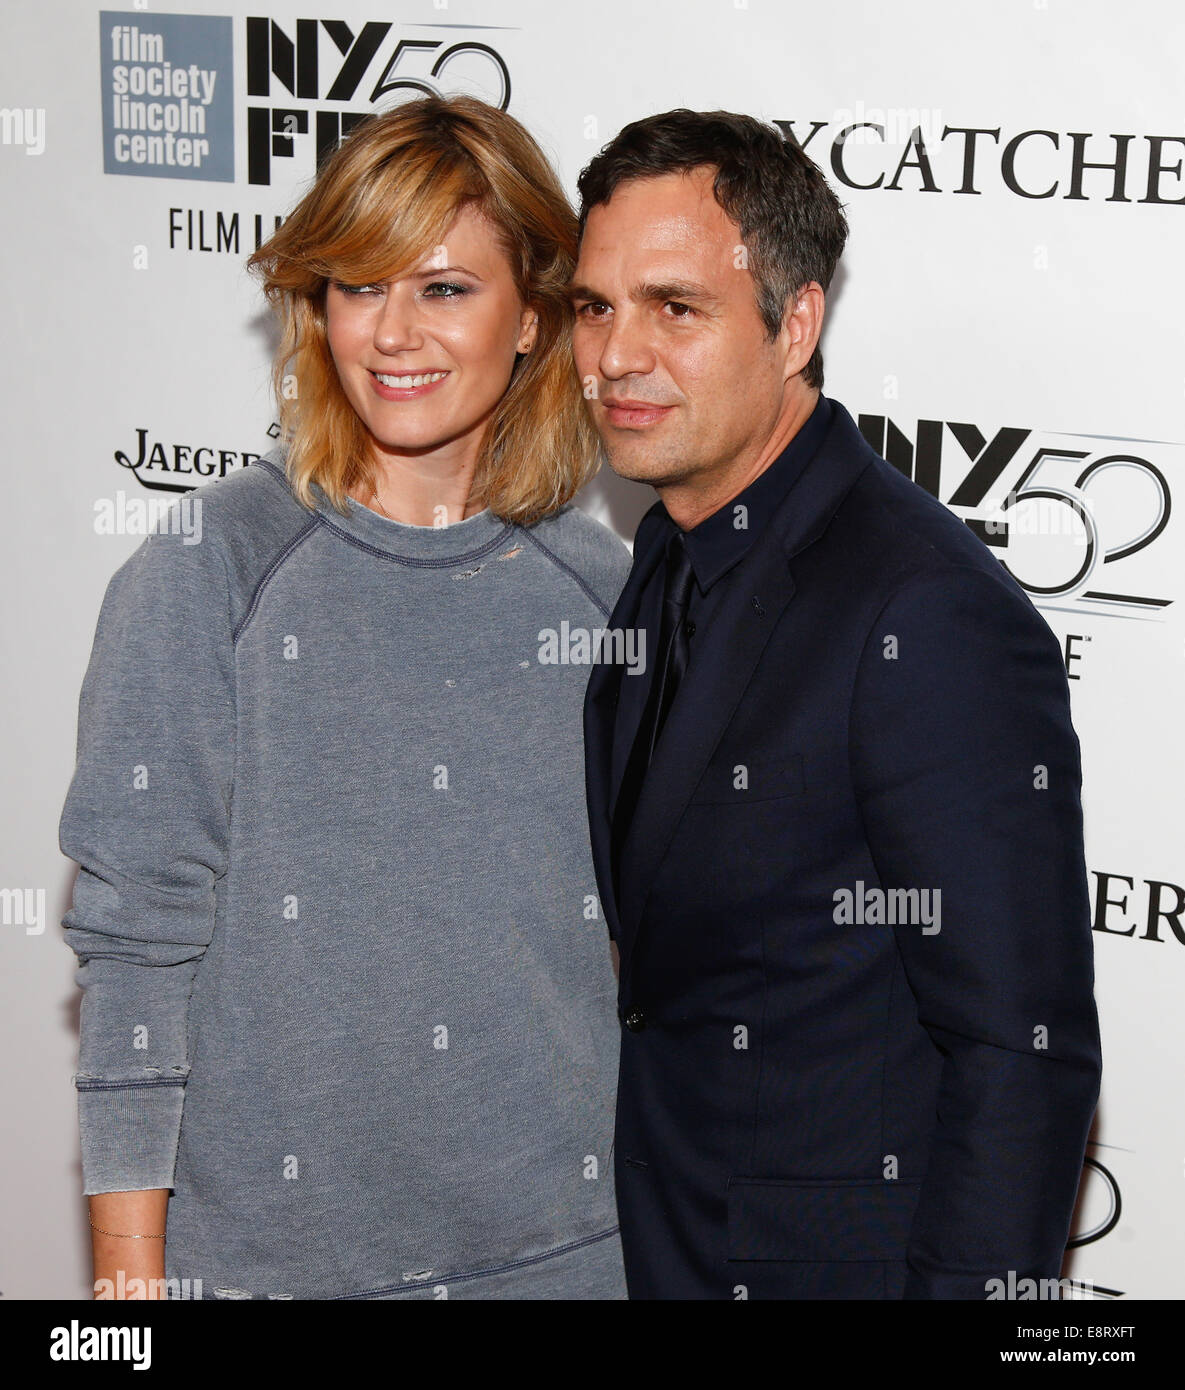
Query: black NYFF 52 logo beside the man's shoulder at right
[(1058, 508)]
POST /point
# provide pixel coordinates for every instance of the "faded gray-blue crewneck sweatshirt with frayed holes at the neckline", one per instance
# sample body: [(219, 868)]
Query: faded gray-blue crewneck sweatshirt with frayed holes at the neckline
[(347, 981)]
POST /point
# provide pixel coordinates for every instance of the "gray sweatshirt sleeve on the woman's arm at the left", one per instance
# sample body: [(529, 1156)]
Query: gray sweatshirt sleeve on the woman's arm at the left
[(147, 819)]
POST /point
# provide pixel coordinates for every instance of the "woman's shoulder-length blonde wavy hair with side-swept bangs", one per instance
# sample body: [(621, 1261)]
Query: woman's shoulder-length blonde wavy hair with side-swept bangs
[(380, 204)]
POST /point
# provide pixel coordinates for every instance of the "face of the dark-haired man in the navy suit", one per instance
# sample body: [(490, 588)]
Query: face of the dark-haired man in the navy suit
[(680, 376)]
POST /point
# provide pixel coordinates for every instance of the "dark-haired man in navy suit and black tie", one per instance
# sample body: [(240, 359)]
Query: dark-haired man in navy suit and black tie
[(837, 822)]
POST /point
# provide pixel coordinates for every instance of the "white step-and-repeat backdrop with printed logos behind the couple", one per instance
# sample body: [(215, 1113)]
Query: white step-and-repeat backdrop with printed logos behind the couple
[(1006, 326)]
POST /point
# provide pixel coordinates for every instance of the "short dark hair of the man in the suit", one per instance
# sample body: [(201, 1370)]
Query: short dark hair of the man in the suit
[(791, 222)]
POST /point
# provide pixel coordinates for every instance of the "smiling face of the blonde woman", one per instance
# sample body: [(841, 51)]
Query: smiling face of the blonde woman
[(426, 359)]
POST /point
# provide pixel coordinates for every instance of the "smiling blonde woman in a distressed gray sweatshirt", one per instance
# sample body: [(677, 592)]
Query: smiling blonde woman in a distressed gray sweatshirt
[(348, 1025)]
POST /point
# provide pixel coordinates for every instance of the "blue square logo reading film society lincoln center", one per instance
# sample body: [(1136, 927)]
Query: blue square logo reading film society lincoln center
[(169, 95)]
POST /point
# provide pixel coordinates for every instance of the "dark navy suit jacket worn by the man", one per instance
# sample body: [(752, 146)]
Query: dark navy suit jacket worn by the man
[(818, 1102)]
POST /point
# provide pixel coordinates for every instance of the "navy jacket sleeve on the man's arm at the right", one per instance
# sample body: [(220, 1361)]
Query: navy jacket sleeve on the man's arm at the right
[(968, 775)]
